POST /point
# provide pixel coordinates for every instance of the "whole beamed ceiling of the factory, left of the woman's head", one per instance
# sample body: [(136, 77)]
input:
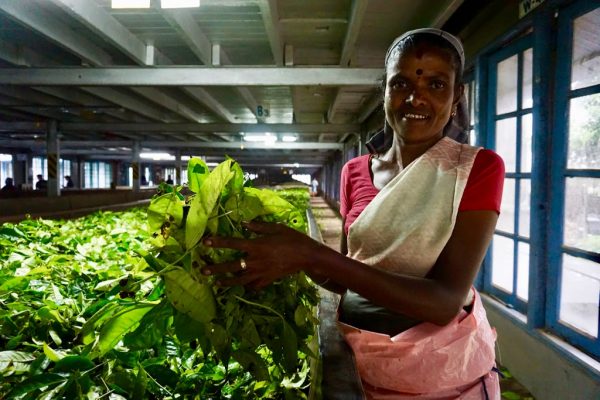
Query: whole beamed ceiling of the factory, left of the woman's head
[(198, 81)]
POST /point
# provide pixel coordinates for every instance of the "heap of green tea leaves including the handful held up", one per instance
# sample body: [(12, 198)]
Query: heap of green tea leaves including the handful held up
[(113, 305)]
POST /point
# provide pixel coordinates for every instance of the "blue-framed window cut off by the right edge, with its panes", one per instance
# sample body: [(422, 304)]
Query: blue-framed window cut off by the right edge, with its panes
[(573, 240)]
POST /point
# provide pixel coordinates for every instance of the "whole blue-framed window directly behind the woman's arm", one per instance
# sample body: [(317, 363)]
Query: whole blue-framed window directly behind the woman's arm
[(510, 128)]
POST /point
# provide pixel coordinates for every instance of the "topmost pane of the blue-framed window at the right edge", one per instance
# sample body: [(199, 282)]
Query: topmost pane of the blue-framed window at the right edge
[(586, 50)]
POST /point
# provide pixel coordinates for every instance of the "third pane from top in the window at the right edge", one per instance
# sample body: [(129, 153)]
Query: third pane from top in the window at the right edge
[(582, 214)]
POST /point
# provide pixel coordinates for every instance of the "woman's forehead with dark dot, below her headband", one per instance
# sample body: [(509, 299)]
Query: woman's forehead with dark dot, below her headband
[(427, 57)]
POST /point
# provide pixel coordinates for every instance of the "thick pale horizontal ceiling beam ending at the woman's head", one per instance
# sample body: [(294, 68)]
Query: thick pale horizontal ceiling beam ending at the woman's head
[(184, 76)]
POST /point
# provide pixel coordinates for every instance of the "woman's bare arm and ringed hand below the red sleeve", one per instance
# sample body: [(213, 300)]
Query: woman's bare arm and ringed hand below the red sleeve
[(436, 298)]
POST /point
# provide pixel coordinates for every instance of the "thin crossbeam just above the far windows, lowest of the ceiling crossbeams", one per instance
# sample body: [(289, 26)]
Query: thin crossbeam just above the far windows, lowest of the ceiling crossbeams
[(164, 144)]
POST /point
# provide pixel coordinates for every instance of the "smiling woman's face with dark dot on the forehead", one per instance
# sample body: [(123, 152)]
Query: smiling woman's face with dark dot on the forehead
[(420, 93)]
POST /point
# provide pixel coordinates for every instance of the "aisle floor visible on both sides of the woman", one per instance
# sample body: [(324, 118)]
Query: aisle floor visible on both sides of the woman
[(330, 224)]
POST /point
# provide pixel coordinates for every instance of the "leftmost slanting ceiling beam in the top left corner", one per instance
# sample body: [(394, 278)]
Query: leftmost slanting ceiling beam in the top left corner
[(33, 15)]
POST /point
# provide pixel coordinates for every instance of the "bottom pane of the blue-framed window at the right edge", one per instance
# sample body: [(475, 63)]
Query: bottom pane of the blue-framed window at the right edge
[(579, 294)]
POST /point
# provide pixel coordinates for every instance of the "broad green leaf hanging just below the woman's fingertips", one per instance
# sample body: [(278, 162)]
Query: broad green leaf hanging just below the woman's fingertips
[(189, 296)]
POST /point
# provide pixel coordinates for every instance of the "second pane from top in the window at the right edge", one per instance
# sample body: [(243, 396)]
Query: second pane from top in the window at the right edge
[(584, 132)]
